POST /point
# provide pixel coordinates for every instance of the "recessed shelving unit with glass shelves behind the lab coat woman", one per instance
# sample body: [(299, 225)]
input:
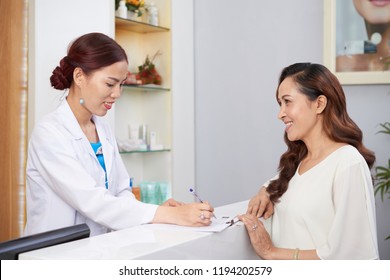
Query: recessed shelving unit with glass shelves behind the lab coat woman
[(147, 104)]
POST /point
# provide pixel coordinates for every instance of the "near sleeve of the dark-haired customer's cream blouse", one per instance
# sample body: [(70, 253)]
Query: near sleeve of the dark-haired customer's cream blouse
[(353, 232)]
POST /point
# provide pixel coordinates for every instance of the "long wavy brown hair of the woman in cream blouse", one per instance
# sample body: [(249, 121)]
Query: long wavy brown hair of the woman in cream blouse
[(314, 80)]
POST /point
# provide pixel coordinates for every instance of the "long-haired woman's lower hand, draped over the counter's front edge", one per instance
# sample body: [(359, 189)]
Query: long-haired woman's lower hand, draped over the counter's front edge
[(260, 239)]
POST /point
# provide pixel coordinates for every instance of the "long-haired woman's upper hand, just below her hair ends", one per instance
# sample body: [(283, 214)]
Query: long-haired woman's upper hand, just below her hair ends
[(260, 205)]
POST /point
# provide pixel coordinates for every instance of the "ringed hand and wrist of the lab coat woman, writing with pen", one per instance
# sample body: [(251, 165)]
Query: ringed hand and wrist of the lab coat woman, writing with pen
[(192, 214)]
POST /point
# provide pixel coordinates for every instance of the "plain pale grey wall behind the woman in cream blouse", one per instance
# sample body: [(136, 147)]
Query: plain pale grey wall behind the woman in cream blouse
[(240, 49)]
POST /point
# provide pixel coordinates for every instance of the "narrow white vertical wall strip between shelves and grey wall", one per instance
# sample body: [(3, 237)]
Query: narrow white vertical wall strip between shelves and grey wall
[(183, 111)]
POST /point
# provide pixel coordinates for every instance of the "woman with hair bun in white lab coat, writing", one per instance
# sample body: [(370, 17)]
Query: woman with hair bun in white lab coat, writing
[(74, 171)]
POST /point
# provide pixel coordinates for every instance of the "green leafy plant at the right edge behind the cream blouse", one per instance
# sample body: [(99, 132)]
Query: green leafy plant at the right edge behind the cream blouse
[(382, 173)]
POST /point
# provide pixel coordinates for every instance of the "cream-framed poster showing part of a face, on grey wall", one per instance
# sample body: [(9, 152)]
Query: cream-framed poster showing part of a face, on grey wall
[(357, 40)]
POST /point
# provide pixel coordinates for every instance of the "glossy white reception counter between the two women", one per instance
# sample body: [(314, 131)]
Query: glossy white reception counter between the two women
[(159, 242)]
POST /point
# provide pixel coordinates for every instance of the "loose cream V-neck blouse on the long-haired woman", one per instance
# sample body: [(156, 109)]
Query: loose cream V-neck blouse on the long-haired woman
[(330, 208)]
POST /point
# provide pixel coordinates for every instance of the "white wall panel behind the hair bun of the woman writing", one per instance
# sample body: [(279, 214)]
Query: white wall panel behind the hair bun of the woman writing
[(53, 24)]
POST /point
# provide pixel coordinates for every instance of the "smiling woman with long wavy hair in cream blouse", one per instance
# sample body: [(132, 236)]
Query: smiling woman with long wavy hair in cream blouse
[(322, 197)]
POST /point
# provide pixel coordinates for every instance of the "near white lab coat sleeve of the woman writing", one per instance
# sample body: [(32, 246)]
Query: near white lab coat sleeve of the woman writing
[(52, 154)]
